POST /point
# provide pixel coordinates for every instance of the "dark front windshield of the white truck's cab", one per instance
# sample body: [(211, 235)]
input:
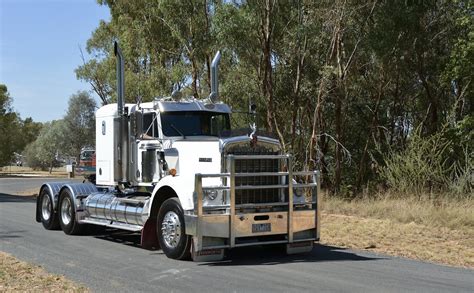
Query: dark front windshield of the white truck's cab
[(194, 123)]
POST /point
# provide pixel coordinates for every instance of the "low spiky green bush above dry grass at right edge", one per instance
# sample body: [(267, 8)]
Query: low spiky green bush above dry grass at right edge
[(433, 164)]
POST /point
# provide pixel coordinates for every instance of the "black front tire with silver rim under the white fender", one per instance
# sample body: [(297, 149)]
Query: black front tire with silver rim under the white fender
[(181, 249)]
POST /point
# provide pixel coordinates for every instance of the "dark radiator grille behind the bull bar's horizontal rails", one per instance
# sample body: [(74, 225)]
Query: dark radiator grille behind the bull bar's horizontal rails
[(249, 196)]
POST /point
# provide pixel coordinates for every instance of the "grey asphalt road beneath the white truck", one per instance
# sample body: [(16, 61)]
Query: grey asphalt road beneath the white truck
[(112, 261)]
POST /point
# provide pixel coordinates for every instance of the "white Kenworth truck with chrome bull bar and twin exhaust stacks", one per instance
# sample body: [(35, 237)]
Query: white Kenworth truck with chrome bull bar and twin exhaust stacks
[(171, 170)]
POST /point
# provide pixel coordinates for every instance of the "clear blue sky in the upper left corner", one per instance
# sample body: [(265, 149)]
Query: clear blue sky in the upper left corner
[(39, 50)]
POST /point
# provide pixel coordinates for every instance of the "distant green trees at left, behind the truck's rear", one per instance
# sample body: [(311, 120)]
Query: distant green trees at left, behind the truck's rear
[(45, 146)]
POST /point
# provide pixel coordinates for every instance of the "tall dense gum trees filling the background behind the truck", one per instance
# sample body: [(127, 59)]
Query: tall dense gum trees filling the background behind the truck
[(342, 83)]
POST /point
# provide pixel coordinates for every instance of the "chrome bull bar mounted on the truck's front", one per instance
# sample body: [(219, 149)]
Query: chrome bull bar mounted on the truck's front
[(230, 226)]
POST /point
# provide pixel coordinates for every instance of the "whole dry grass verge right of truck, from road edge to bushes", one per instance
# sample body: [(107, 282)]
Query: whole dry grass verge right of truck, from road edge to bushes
[(436, 231)]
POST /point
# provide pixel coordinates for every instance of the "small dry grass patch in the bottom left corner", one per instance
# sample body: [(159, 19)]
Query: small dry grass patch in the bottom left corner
[(19, 276)]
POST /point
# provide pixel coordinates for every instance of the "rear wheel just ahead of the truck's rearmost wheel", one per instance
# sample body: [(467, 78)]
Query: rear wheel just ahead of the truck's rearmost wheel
[(67, 214)]
